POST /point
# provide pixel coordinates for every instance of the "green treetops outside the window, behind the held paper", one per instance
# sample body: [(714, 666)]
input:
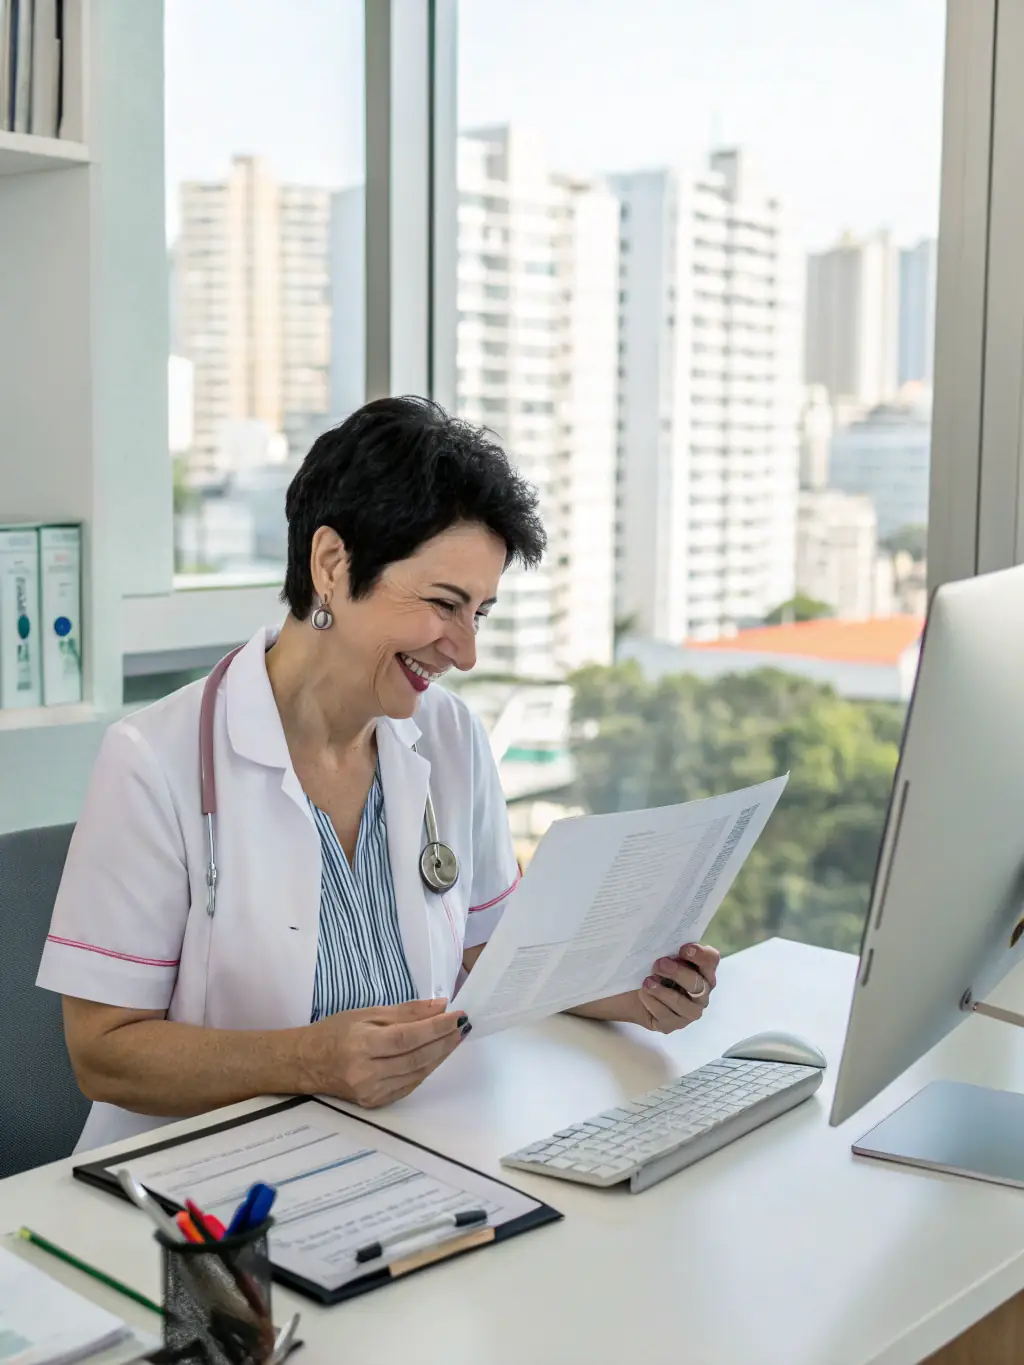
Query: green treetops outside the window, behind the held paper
[(679, 739)]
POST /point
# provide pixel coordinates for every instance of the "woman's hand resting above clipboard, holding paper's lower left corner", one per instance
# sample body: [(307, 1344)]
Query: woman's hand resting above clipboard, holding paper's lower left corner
[(378, 1056)]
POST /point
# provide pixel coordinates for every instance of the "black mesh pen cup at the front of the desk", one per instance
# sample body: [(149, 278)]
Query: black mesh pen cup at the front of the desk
[(218, 1300)]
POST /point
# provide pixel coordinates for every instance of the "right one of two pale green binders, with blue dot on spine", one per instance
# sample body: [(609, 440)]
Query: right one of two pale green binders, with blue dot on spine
[(61, 614)]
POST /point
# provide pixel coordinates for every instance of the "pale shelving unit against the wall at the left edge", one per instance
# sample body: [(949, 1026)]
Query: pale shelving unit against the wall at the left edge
[(84, 373)]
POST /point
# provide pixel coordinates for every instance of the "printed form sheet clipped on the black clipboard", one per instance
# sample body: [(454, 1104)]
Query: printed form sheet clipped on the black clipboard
[(342, 1184)]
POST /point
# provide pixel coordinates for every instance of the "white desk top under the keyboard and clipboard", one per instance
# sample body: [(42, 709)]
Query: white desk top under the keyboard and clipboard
[(783, 1250)]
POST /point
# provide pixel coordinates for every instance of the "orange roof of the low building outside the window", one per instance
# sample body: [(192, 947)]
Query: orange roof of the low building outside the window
[(883, 640)]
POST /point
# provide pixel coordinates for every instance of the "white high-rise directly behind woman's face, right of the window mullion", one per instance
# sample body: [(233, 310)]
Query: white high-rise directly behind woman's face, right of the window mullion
[(539, 259)]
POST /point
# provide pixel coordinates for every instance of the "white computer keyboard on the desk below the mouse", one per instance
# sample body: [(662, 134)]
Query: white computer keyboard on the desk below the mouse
[(662, 1132)]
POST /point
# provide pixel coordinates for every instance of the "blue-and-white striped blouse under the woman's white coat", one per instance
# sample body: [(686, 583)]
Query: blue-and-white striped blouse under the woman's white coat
[(361, 960)]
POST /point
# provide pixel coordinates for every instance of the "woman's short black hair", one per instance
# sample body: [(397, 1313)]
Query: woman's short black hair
[(394, 476)]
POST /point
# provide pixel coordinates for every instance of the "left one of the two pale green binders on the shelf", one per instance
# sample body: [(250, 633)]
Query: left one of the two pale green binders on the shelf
[(21, 679)]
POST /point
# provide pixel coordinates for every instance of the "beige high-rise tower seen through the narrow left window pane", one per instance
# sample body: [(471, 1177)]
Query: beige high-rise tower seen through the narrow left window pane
[(253, 308)]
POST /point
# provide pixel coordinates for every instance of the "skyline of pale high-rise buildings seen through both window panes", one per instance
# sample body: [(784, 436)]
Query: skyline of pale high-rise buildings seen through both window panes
[(636, 343)]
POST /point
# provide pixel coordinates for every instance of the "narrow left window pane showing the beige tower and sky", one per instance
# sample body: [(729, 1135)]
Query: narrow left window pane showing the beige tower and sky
[(264, 205)]
